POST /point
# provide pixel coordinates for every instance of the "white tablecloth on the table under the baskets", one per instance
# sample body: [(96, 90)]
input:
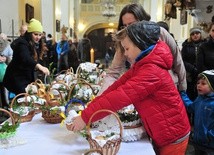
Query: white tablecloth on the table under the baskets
[(41, 138)]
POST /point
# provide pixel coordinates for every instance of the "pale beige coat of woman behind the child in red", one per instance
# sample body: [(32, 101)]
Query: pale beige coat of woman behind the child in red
[(177, 72)]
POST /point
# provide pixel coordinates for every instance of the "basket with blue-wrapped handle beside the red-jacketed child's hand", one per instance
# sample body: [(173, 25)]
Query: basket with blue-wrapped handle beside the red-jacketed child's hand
[(72, 109)]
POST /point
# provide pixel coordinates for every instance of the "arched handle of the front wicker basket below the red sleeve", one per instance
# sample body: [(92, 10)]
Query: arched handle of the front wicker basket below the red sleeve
[(99, 111)]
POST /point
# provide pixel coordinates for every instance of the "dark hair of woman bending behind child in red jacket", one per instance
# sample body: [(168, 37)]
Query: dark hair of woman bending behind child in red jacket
[(137, 10)]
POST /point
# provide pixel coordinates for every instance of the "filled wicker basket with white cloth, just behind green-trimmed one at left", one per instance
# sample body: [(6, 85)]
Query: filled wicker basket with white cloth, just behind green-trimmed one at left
[(22, 108)]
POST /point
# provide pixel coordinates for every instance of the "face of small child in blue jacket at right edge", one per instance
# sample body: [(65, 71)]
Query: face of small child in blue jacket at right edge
[(203, 87)]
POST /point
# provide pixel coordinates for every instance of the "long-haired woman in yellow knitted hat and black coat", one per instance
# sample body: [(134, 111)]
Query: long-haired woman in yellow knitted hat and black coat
[(20, 71)]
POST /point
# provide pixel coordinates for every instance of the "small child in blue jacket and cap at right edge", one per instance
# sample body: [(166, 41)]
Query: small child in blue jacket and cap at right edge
[(203, 109)]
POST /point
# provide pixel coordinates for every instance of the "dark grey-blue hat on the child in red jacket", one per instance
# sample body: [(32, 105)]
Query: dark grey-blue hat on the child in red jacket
[(144, 34)]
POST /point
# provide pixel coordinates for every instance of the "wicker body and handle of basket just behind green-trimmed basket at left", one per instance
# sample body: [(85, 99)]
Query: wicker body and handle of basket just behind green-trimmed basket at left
[(27, 117)]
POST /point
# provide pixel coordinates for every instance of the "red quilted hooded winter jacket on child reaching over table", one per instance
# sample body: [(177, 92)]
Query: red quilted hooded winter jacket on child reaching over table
[(149, 87)]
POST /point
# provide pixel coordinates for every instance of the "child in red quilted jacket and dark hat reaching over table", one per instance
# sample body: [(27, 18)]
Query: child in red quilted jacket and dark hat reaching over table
[(149, 87)]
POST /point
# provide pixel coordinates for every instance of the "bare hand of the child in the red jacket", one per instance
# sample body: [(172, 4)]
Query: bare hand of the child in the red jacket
[(78, 124)]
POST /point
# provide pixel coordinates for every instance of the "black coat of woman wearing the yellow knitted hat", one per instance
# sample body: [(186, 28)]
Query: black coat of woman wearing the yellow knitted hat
[(20, 71)]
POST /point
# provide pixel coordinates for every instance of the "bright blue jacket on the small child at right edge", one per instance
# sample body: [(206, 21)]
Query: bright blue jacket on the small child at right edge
[(203, 109)]
